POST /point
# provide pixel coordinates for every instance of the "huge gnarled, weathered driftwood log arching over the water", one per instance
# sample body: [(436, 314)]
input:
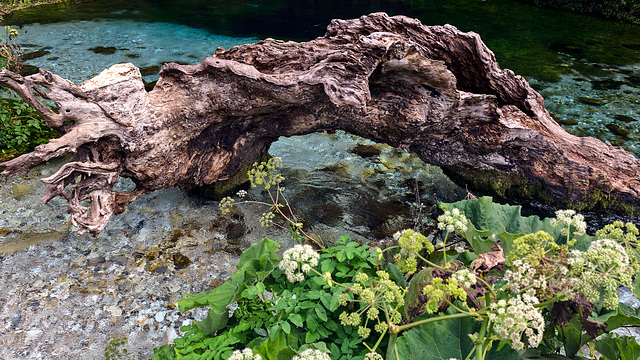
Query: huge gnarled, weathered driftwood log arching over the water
[(432, 90)]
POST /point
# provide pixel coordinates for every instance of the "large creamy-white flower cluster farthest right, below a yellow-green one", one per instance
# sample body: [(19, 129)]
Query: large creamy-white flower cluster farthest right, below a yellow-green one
[(601, 270)]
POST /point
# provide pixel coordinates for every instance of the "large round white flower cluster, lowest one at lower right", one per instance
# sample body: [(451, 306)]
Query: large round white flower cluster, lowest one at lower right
[(518, 321)]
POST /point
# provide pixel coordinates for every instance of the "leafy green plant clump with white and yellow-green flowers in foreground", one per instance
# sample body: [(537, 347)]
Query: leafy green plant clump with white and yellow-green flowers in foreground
[(523, 288)]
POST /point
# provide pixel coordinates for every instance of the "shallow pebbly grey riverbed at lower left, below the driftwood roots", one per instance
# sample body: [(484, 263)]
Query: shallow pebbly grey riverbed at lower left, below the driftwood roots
[(67, 296)]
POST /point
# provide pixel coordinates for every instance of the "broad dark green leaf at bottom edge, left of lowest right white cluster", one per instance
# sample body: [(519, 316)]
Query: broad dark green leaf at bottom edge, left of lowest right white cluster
[(446, 339)]
